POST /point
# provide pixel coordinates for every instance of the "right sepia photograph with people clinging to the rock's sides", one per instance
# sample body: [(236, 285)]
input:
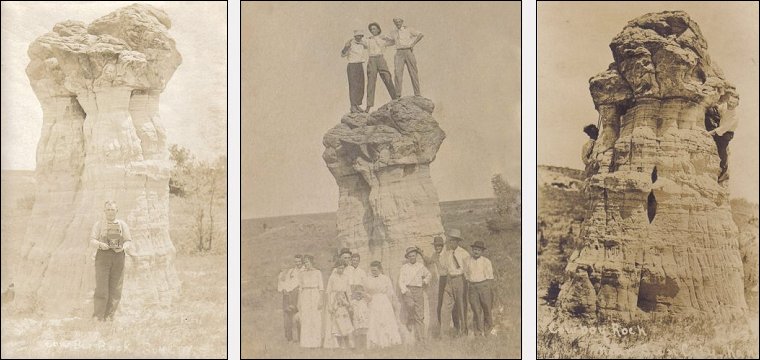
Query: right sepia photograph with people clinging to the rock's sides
[(647, 180)]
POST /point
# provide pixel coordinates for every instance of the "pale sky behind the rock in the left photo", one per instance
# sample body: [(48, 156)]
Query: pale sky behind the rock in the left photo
[(193, 105)]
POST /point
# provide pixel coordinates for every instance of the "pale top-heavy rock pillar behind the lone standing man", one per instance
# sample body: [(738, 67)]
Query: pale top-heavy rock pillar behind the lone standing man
[(102, 139)]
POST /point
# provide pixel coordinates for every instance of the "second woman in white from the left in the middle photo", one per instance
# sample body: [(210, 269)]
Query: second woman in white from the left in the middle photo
[(338, 326)]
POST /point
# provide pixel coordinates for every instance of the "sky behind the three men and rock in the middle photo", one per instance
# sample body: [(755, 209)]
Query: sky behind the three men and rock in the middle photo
[(295, 89)]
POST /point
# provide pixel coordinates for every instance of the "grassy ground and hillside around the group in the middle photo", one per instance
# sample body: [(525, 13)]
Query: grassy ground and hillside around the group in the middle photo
[(262, 329)]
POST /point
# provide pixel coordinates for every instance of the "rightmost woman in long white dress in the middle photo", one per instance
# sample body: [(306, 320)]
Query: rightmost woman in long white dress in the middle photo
[(383, 328)]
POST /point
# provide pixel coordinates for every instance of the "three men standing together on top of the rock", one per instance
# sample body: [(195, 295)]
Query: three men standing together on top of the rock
[(359, 50)]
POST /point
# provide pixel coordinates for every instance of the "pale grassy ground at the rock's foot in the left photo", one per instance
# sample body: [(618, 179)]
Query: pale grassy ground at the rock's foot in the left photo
[(195, 326)]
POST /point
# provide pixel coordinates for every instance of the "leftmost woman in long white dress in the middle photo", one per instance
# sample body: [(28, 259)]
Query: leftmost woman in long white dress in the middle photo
[(310, 302)]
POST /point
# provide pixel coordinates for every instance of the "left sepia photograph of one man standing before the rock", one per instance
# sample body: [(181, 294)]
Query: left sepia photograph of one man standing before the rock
[(114, 179)]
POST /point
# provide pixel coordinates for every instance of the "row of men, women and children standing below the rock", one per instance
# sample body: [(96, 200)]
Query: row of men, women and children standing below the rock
[(367, 310)]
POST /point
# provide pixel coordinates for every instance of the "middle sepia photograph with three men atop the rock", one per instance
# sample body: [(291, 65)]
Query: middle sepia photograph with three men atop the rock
[(380, 180)]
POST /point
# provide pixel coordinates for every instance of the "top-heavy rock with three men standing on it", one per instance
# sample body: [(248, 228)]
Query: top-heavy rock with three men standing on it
[(381, 162)]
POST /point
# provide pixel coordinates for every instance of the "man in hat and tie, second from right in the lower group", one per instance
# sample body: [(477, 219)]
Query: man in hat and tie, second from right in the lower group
[(454, 260)]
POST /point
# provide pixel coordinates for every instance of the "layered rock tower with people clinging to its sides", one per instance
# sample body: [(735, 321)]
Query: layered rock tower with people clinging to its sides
[(659, 236)]
